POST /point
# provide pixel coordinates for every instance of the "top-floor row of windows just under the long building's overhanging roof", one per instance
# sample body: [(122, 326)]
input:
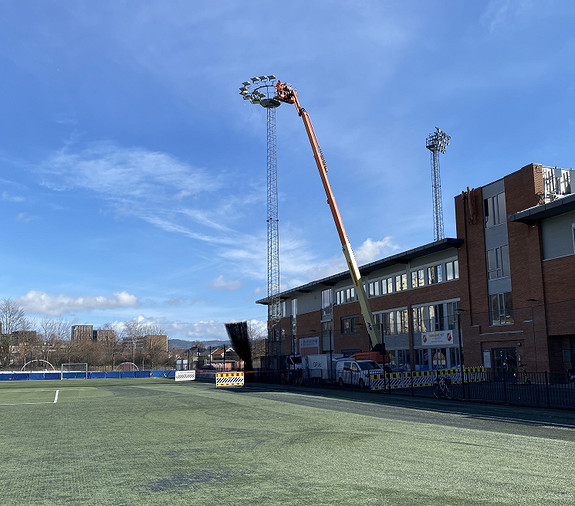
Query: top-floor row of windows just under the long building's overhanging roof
[(419, 277)]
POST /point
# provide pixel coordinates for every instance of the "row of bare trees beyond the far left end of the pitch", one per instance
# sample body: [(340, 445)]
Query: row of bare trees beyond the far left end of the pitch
[(35, 342)]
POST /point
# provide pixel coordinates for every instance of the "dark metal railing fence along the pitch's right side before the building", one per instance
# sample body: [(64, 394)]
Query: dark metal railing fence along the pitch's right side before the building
[(537, 389)]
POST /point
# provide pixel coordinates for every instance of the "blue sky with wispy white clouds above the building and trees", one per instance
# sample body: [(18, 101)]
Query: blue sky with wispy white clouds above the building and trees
[(133, 176)]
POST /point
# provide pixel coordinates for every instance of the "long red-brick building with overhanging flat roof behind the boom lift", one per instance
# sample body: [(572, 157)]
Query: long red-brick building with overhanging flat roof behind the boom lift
[(505, 285)]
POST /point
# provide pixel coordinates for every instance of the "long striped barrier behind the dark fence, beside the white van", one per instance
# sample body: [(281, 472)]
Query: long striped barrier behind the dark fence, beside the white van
[(423, 378)]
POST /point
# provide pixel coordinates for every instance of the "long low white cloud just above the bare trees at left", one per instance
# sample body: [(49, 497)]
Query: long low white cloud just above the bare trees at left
[(38, 302)]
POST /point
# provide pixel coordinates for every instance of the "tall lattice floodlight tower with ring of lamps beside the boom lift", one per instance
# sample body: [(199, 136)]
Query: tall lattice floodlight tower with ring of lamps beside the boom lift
[(261, 90)]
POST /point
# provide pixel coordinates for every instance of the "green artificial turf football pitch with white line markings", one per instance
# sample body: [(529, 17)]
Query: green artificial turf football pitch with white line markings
[(154, 441)]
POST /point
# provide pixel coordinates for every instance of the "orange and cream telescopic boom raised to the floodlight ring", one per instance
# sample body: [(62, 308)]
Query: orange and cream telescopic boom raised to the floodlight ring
[(288, 95)]
